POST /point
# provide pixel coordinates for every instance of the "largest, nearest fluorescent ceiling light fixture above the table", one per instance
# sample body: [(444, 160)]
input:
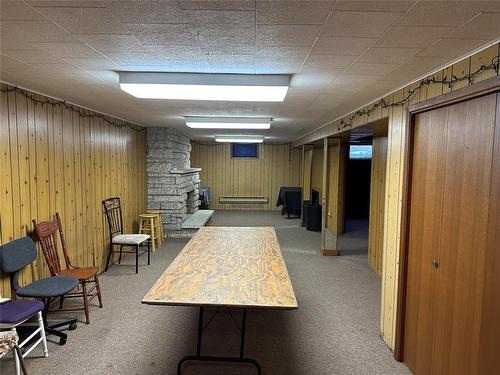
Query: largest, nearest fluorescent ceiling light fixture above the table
[(204, 86)]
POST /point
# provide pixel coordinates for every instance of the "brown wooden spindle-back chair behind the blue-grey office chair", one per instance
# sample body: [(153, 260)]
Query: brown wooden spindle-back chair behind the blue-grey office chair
[(47, 235)]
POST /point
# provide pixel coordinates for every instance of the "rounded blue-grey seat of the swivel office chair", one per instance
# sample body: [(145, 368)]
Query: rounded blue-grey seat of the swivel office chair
[(50, 287)]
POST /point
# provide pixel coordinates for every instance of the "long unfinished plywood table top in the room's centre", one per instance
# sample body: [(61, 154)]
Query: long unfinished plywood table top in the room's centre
[(229, 267)]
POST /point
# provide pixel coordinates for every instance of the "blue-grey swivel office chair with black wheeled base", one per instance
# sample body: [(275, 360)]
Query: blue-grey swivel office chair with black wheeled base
[(16, 255)]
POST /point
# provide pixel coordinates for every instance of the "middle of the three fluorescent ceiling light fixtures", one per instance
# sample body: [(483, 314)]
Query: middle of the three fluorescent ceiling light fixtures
[(199, 122)]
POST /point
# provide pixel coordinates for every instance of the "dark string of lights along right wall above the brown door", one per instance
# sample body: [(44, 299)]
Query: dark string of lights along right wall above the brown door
[(494, 65)]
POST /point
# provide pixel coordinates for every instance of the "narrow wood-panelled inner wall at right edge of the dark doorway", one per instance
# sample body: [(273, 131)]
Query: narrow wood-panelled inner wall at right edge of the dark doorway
[(377, 204)]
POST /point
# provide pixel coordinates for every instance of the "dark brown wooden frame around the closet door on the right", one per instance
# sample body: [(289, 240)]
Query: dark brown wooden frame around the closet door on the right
[(482, 88)]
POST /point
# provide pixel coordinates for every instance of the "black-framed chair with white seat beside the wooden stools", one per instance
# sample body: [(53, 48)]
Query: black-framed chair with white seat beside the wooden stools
[(113, 211)]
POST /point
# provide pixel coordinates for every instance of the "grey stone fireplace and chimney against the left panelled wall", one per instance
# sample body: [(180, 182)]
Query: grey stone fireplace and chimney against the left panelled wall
[(173, 186)]
